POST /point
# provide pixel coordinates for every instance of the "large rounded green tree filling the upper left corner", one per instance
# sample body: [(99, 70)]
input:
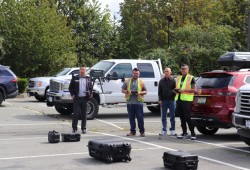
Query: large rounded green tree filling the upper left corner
[(36, 39)]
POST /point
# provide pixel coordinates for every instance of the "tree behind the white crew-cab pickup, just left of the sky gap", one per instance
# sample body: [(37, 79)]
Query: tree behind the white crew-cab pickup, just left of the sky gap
[(94, 34)]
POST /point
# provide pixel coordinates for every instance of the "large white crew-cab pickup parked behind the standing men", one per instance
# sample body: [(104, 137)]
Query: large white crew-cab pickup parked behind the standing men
[(107, 89)]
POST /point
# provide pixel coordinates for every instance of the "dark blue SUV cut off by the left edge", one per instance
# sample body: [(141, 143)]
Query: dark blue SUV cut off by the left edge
[(8, 84)]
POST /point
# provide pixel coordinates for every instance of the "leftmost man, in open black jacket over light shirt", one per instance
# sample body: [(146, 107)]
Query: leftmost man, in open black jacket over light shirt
[(80, 90)]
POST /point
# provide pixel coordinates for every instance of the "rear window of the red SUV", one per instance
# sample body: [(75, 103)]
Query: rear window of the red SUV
[(214, 81)]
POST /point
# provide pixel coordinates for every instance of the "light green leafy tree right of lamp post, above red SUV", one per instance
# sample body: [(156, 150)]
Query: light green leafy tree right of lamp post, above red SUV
[(200, 48)]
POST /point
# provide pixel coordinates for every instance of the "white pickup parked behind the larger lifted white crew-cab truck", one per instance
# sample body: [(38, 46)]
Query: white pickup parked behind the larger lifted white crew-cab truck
[(38, 86)]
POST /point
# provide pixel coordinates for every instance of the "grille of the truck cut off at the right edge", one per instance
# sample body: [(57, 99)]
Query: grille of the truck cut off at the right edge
[(244, 98)]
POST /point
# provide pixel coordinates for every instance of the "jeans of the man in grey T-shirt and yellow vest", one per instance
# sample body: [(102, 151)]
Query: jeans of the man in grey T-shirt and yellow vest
[(136, 111)]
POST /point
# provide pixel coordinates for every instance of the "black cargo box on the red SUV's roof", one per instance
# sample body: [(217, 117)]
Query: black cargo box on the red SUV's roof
[(238, 59)]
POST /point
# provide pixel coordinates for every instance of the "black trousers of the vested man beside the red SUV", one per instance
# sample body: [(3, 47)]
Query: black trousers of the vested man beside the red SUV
[(184, 110)]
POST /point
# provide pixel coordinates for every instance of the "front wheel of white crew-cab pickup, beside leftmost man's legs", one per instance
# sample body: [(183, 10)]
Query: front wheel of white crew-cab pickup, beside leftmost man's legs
[(92, 109)]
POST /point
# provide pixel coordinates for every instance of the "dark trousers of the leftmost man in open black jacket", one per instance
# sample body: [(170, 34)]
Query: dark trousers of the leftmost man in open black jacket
[(80, 111)]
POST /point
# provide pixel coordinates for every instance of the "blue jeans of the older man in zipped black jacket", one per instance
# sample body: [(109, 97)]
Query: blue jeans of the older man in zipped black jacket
[(168, 104)]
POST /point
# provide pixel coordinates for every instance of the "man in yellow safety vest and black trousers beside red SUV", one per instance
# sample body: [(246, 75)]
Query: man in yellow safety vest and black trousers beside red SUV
[(185, 88)]
